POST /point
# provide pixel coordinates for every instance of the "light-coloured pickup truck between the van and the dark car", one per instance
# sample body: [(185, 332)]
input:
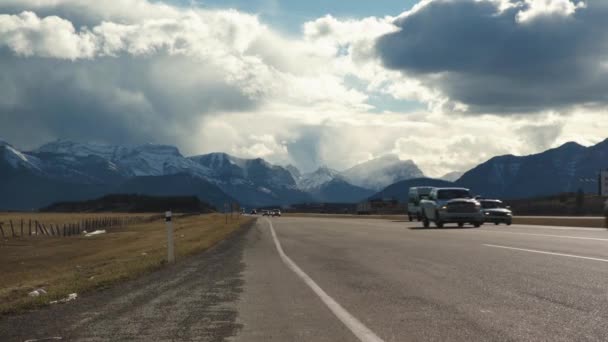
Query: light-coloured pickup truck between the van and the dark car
[(451, 205)]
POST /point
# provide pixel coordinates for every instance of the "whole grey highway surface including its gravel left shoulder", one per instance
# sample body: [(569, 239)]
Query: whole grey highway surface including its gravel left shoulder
[(328, 279)]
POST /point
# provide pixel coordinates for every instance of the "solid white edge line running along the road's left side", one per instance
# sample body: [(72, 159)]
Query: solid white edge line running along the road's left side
[(363, 333)]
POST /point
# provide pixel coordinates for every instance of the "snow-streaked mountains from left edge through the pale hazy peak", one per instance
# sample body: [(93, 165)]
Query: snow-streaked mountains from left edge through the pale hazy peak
[(69, 171)]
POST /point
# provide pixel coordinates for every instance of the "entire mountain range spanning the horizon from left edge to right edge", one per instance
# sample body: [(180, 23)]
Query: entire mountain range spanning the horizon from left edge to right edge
[(70, 171)]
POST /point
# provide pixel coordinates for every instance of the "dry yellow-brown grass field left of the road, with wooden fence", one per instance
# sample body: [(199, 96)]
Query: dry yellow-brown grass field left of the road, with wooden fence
[(64, 265)]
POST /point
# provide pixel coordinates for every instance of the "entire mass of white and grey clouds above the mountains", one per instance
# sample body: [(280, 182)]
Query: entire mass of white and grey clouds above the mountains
[(222, 80)]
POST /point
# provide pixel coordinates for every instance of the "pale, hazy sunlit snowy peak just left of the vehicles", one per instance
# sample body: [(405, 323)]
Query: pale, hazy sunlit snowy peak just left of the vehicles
[(378, 173)]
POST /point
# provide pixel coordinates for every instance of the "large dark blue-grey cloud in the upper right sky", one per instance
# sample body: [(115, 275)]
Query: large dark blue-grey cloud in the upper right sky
[(532, 55)]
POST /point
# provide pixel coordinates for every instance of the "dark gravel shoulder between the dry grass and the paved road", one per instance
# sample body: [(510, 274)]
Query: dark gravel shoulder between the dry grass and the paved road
[(194, 300)]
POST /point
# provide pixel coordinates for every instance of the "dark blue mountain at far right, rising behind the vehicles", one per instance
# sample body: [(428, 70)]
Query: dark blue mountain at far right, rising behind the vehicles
[(563, 169)]
